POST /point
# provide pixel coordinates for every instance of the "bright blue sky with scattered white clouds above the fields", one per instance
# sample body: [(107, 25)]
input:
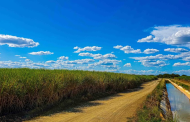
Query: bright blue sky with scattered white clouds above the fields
[(128, 36)]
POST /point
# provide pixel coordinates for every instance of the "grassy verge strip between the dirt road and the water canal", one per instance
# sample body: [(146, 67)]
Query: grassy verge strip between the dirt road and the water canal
[(150, 109)]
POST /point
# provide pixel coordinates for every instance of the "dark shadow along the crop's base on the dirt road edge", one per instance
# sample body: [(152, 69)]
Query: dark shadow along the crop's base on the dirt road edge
[(64, 108)]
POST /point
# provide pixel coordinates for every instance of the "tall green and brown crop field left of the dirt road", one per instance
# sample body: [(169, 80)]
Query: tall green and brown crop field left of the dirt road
[(25, 89)]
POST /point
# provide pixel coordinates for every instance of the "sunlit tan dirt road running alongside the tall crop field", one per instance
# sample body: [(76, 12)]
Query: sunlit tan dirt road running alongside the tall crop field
[(116, 108)]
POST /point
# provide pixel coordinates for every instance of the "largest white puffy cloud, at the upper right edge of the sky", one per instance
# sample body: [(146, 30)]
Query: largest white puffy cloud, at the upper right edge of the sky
[(170, 35)]
